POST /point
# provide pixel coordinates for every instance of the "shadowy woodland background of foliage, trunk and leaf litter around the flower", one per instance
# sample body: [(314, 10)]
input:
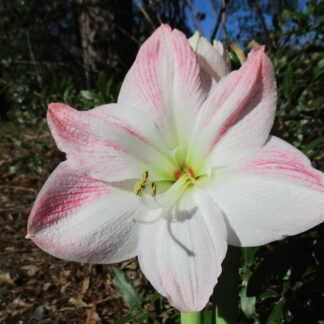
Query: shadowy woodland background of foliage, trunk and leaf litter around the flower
[(78, 52)]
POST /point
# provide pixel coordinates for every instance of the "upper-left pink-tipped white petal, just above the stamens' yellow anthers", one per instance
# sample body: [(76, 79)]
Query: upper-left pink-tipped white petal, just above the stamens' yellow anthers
[(110, 142)]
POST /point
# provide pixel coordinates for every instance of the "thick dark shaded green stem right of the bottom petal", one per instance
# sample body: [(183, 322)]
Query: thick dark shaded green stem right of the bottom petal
[(226, 293)]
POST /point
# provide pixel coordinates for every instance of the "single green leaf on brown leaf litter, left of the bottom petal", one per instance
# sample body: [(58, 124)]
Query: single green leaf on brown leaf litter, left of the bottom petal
[(122, 284)]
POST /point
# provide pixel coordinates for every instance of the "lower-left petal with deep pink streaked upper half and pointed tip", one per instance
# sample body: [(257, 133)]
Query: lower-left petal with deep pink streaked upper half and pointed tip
[(81, 219)]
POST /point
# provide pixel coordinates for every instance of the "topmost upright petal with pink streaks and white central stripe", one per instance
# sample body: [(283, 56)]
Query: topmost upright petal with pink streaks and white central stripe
[(166, 82)]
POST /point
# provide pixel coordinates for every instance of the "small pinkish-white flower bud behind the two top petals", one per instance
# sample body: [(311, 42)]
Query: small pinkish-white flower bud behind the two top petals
[(209, 57)]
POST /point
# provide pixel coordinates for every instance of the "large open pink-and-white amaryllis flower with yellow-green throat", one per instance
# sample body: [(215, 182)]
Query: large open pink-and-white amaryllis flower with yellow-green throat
[(180, 167)]
